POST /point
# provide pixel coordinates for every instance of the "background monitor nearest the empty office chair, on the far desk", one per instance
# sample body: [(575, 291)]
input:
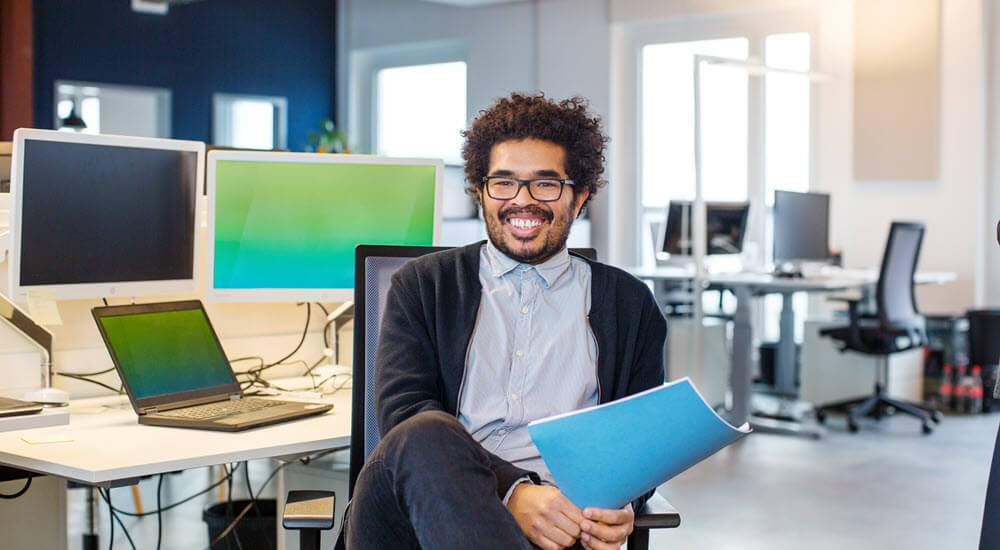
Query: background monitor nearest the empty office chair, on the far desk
[(801, 227)]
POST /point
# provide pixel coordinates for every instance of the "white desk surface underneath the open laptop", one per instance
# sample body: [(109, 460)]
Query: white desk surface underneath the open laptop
[(111, 446)]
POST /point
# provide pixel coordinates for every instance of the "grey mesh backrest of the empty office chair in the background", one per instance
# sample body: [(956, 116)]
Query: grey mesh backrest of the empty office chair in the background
[(897, 305)]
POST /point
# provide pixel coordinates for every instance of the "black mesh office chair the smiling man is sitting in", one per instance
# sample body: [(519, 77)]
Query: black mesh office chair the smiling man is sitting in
[(374, 266)]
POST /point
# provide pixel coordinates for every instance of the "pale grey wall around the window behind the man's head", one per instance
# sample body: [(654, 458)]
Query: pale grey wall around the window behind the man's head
[(559, 47)]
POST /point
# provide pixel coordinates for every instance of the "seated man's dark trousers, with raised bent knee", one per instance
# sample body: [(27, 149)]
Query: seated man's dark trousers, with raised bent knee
[(428, 485)]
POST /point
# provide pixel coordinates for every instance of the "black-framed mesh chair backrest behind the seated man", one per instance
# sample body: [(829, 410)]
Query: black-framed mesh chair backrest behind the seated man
[(373, 269)]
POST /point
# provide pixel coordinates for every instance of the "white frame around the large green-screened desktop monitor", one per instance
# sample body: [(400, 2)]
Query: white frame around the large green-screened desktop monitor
[(298, 294)]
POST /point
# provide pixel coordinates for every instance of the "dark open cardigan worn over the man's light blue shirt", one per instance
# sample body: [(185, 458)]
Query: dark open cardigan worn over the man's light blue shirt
[(428, 323)]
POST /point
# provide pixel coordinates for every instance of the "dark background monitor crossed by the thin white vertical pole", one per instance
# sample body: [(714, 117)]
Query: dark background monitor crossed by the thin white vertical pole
[(726, 224)]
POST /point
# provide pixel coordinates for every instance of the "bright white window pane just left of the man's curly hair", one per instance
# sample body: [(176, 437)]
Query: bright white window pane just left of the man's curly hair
[(420, 111)]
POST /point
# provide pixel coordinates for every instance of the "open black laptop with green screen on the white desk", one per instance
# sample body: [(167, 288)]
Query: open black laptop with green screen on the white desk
[(177, 374)]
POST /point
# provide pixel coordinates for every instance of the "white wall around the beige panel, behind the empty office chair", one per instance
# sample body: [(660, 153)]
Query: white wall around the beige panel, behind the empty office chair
[(952, 206)]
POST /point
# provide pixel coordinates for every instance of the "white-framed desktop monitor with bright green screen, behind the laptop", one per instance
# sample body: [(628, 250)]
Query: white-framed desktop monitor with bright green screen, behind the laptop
[(283, 226)]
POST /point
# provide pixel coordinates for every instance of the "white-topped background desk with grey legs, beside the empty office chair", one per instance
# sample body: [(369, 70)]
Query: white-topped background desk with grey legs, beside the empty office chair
[(746, 285)]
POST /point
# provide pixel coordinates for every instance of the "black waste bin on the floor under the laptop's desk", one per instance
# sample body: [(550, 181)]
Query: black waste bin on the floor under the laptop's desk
[(256, 530)]
